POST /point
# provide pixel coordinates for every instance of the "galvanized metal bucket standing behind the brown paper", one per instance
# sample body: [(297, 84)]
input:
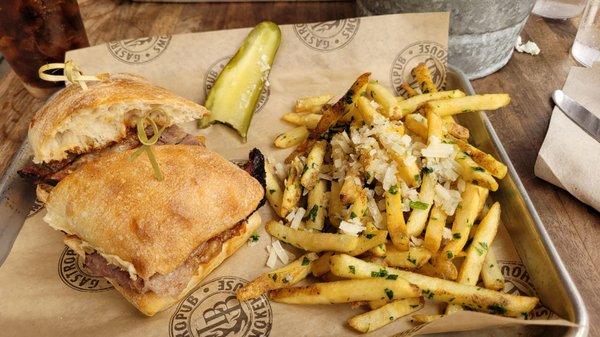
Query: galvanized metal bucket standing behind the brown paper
[(482, 32)]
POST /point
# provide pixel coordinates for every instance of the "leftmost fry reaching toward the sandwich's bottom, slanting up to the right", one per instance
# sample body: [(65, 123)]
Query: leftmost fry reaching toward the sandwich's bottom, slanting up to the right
[(280, 278)]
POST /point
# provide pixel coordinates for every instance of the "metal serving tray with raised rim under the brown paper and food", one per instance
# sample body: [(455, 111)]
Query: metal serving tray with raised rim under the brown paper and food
[(548, 274)]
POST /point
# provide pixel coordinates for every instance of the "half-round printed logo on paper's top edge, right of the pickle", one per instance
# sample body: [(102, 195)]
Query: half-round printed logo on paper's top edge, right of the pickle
[(327, 36)]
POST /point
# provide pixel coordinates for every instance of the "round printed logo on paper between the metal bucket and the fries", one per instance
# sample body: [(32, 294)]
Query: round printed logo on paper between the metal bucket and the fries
[(432, 54)]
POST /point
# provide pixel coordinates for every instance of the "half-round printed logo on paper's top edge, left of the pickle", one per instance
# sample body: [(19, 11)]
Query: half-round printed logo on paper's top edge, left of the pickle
[(137, 51)]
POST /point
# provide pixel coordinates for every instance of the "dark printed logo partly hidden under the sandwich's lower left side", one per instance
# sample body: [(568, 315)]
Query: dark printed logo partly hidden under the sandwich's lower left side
[(73, 273)]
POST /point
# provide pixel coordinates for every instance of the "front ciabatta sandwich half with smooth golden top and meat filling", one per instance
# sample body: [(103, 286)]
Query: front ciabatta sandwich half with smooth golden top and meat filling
[(156, 240)]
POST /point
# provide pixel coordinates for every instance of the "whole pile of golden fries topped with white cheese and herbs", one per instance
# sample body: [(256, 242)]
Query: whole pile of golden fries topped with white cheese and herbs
[(359, 164)]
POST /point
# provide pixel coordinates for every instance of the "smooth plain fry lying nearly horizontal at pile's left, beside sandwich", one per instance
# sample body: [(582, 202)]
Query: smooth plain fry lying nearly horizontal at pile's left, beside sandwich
[(312, 241)]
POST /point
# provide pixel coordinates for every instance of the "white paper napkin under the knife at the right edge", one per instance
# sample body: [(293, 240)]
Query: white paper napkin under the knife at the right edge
[(569, 157)]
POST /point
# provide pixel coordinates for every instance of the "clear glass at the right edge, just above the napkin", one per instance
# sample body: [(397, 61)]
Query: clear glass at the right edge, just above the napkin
[(586, 48)]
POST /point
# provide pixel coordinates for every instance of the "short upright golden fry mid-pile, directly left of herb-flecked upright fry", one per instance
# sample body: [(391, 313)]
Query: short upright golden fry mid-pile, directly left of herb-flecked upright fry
[(395, 218)]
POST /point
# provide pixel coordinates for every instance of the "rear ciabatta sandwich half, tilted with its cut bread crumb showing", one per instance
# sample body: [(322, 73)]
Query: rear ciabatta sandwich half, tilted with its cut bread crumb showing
[(76, 125)]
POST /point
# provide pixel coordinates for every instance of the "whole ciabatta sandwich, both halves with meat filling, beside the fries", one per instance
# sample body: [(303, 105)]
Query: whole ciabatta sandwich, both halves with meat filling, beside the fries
[(153, 239)]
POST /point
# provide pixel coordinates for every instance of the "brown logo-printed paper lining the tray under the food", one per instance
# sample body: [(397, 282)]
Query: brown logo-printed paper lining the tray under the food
[(43, 287)]
